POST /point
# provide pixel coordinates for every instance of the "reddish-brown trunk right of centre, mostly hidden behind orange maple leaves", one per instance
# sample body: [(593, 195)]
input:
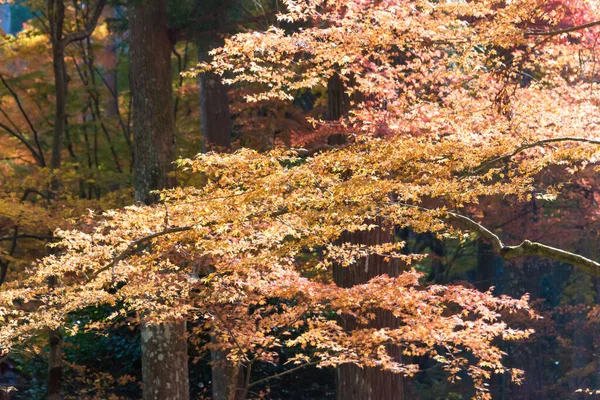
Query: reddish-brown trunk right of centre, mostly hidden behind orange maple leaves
[(353, 382)]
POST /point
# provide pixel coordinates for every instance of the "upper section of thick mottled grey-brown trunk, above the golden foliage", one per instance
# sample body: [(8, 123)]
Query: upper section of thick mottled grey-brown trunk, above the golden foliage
[(153, 123)]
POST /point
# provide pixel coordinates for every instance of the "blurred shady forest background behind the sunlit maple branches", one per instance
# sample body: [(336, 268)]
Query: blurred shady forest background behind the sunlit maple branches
[(96, 173)]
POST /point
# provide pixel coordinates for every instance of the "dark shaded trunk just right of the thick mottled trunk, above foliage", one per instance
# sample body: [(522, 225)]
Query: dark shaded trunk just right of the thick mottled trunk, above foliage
[(215, 119)]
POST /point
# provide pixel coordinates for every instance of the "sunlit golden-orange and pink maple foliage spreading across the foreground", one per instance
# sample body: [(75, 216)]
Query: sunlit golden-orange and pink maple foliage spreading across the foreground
[(455, 110)]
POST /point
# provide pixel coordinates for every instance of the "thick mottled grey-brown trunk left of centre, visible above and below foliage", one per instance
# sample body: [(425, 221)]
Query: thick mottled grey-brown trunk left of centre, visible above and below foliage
[(164, 346)]
